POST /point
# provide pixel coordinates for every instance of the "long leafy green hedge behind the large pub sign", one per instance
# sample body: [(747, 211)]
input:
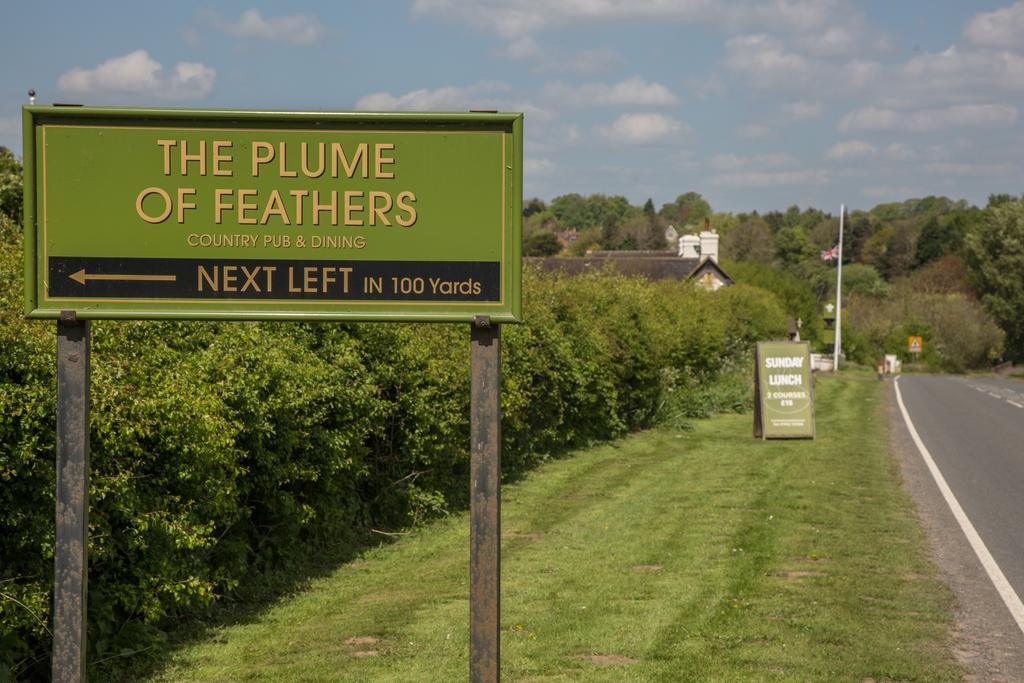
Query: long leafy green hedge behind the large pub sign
[(225, 453)]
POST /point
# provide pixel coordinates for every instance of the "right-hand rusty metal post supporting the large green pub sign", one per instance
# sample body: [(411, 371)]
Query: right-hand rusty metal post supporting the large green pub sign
[(485, 509)]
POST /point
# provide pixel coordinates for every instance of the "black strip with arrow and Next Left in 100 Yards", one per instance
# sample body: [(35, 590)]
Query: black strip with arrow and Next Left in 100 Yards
[(273, 280)]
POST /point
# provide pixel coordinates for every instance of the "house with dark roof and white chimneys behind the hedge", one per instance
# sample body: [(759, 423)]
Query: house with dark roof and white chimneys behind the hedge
[(697, 261)]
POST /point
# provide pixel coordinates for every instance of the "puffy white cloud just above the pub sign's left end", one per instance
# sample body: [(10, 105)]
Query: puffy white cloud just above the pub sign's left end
[(139, 74)]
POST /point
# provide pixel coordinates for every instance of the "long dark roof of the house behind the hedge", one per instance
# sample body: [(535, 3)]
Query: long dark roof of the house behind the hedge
[(653, 266)]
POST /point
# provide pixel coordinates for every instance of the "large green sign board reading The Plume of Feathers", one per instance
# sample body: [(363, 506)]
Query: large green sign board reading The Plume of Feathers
[(257, 216)]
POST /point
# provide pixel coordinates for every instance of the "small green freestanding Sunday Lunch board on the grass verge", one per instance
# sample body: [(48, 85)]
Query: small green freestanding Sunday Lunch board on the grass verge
[(784, 388)]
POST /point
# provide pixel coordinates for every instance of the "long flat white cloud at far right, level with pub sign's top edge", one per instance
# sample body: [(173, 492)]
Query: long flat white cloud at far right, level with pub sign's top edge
[(958, 116)]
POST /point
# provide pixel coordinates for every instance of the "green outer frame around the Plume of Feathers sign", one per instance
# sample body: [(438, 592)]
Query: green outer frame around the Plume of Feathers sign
[(506, 309)]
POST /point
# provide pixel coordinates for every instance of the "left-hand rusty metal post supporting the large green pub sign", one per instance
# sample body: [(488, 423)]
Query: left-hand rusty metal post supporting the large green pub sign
[(71, 550)]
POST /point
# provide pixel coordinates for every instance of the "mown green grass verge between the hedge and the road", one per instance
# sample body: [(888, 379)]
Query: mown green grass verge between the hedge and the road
[(702, 556)]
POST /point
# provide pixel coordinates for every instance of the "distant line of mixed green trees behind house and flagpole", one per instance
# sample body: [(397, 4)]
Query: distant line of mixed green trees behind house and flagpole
[(915, 261)]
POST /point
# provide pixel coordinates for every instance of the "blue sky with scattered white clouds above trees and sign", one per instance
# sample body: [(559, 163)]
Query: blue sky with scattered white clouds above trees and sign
[(754, 105)]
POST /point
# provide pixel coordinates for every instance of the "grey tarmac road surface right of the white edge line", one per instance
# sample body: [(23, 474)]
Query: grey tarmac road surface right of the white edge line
[(974, 431)]
